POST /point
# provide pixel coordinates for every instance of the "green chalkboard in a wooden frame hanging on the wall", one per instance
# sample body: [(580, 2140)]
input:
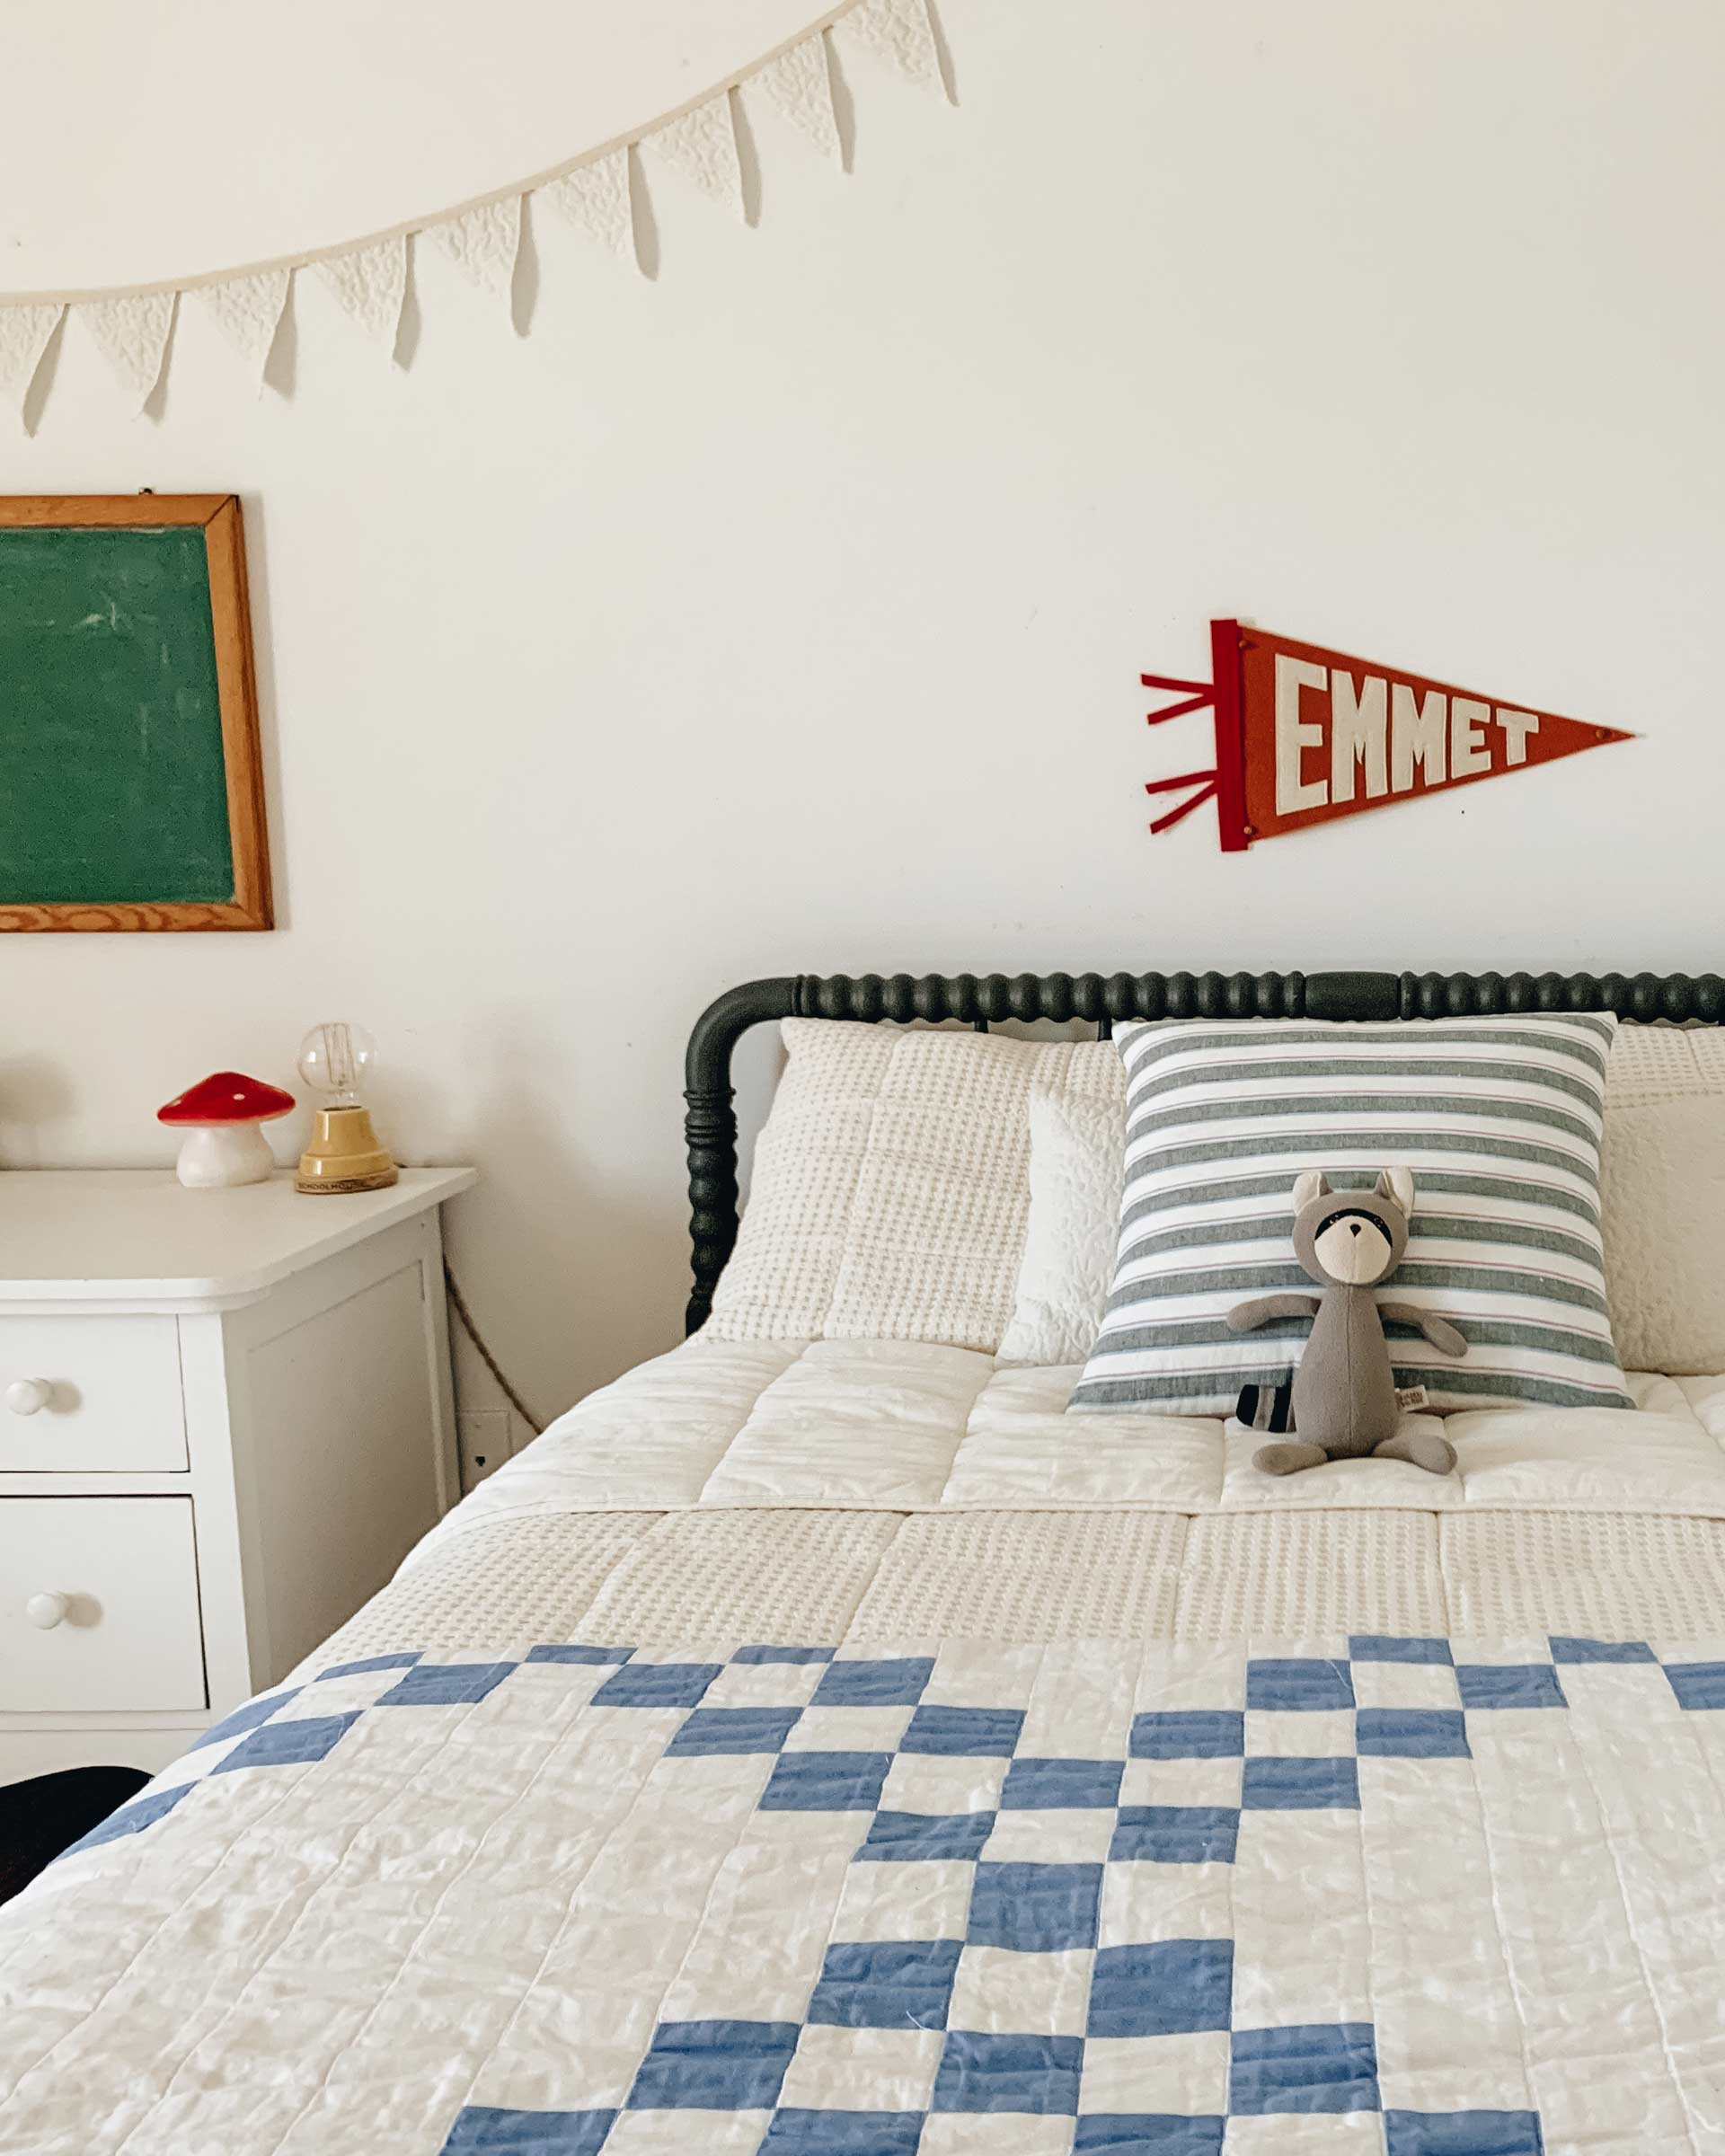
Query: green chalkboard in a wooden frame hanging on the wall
[(115, 745)]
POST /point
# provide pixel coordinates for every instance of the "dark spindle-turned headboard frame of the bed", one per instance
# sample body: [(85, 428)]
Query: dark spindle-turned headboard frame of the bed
[(1099, 999)]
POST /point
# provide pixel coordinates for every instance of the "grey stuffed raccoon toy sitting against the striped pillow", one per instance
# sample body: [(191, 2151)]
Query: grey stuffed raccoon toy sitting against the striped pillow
[(1342, 1398)]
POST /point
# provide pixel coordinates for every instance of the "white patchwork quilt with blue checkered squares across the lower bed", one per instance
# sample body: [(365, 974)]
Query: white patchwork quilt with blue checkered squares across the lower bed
[(1403, 1894)]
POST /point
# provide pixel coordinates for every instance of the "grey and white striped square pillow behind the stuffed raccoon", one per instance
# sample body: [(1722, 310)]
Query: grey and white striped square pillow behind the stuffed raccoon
[(1500, 1122)]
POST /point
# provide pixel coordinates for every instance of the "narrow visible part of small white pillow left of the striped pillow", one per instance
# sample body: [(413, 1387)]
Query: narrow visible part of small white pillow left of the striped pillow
[(1077, 1163)]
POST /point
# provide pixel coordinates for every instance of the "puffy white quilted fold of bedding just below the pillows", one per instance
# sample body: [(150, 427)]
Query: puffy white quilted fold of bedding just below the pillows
[(898, 1426)]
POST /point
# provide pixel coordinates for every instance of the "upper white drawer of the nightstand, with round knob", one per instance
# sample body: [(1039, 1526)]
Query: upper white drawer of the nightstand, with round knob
[(89, 1396)]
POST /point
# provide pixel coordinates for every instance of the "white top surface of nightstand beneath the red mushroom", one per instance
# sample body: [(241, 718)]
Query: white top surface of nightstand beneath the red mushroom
[(137, 1236)]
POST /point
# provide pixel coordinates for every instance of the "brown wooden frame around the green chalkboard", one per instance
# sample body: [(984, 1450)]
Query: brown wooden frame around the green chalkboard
[(236, 680)]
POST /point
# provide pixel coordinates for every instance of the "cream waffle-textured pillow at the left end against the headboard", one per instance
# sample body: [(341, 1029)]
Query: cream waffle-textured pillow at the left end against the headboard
[(892, 1187)]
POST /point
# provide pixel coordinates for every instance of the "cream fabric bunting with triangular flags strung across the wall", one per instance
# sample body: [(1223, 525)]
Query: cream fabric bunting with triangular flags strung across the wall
[(594, 191)]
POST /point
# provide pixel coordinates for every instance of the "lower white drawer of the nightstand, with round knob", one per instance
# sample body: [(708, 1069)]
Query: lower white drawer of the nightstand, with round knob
[(98, 1605)]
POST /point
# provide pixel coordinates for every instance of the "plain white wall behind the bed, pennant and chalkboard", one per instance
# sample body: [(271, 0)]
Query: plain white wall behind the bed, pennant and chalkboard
[(786, 613)]
